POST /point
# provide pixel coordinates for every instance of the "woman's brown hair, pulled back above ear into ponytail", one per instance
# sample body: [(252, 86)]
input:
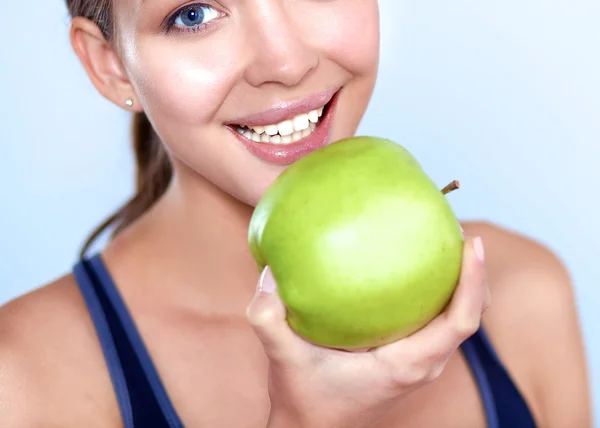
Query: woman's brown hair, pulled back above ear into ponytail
[(154, 170)]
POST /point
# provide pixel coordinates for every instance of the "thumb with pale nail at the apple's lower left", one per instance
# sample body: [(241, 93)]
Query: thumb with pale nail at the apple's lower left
[(267, 315)]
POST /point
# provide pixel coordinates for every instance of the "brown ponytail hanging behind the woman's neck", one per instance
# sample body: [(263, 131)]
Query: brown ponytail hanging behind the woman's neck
[(153, 175)]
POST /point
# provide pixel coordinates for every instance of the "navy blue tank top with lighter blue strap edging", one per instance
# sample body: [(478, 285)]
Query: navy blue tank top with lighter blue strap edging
[(144, 402)]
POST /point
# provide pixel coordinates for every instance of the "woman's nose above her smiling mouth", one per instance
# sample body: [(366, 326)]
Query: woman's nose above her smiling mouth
[(280, 52)]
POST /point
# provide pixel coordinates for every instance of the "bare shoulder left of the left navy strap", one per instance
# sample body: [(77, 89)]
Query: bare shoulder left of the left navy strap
[(51, 360)]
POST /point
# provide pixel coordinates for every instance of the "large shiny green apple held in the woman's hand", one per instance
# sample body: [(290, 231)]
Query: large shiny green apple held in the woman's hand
[(365, 249)]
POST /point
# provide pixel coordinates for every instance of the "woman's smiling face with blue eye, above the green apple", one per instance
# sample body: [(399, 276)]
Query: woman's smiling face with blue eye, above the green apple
[(239, 89)]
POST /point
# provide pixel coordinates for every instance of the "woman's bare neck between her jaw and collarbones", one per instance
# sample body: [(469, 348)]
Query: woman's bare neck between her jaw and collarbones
[(195, 239)]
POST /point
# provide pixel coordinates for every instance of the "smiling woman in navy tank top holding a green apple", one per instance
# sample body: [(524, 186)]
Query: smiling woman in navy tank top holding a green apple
[(165, 328)]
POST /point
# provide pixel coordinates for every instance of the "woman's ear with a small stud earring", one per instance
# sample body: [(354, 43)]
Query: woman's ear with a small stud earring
[(102, 64)]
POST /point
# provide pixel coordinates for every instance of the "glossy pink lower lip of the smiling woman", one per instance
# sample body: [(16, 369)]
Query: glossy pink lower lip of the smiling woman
[(286, 154)]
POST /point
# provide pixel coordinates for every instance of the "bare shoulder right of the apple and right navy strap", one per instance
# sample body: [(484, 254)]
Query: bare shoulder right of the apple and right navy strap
[(534, 324)]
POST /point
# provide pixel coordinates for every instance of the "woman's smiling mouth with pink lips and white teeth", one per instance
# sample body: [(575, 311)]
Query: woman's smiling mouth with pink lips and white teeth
[(285, 133)]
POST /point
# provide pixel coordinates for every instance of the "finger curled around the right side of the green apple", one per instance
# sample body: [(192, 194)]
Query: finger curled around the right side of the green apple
[(461, 319)]
